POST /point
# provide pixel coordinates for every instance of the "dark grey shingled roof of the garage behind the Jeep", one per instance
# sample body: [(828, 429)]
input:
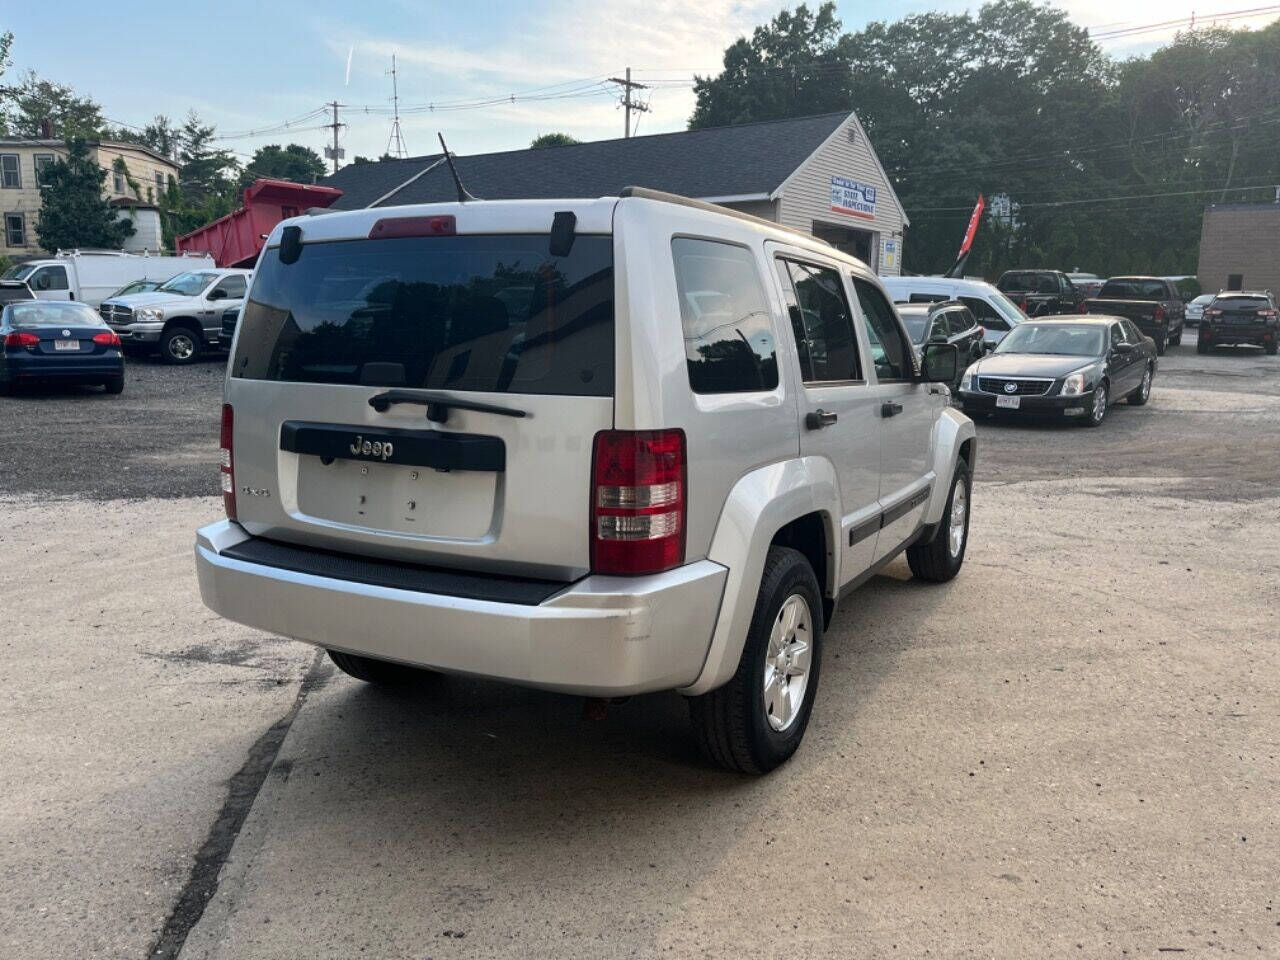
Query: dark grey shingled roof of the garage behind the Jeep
[(716, 162)]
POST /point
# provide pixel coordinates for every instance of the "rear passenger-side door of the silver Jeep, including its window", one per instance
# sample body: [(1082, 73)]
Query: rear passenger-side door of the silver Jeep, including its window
[(838, 412)]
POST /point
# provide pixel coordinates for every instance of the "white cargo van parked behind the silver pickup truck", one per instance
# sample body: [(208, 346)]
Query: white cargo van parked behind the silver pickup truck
[(92, 276)]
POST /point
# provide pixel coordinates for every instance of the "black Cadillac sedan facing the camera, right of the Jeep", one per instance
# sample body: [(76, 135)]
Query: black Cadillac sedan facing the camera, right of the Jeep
[(1068, 368)]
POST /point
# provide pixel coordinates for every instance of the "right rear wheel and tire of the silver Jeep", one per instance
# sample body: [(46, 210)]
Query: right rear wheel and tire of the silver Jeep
[(758, 719)]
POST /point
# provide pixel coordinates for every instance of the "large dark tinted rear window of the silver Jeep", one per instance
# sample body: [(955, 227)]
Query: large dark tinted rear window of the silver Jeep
[(493, 314)]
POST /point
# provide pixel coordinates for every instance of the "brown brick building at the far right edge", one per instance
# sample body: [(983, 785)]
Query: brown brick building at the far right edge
[(1241, 248)]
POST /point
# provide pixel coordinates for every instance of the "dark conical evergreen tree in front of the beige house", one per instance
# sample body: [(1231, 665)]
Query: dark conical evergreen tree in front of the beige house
[(74, 212)]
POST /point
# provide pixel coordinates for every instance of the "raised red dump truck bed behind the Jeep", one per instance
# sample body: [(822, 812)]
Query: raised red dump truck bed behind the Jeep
[(237, 239)]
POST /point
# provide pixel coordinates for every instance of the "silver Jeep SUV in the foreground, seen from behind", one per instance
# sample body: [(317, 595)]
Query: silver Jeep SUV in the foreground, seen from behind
[(602, 447)]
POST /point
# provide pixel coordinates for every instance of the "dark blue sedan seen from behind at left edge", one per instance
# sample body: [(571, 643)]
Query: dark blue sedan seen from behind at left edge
[(63, 341)]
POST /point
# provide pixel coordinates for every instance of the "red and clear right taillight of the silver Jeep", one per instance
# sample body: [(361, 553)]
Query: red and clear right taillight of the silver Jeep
[(638, 501)]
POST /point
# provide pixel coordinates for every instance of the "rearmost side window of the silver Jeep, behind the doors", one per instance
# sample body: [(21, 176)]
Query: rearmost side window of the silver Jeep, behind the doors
[(730, 345)]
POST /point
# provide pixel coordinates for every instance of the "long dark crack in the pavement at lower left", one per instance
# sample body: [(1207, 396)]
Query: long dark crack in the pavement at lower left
[(241, 793)]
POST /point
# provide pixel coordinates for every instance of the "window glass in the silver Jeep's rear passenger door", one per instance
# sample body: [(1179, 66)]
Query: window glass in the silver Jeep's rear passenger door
[(822, 323)]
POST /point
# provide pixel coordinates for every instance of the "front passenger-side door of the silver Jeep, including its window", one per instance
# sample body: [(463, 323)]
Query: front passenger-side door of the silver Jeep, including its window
[(907, 410)]
